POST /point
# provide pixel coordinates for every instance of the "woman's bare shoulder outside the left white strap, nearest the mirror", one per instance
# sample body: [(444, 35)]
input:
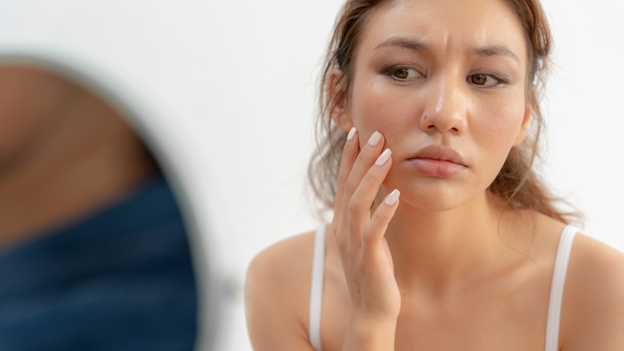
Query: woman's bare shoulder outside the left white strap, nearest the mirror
[(277, 290)]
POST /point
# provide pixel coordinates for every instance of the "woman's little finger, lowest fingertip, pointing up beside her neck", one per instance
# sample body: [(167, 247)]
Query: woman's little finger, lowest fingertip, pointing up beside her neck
[(375, 229)]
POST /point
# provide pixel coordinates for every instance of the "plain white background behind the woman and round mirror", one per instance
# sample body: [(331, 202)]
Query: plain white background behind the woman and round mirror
[(237, 80)]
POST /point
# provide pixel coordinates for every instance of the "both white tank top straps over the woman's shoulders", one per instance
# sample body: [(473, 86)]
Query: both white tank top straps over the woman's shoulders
[(554, 306)]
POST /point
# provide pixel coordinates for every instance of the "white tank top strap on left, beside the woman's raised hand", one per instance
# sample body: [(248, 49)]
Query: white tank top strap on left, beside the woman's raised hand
[(316, 288)]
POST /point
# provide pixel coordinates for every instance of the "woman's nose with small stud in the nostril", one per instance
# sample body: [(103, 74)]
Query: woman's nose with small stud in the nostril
[(446, 108)]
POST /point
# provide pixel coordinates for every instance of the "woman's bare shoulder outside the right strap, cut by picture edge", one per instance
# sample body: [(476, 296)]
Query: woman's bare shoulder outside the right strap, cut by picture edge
[(592, 316)]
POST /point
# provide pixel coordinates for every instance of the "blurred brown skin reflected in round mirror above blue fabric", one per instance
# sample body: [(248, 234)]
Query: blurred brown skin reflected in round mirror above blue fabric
[(63, 154)]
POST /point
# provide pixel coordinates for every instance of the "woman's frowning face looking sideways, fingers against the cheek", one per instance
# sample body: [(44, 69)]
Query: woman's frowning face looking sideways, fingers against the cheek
[(449, 75)]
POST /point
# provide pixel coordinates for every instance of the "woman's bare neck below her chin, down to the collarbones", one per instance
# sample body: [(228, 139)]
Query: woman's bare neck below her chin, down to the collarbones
[(444, 250)]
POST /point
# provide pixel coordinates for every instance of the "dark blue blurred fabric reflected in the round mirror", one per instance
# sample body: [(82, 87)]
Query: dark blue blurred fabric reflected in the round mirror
[(120, 279)]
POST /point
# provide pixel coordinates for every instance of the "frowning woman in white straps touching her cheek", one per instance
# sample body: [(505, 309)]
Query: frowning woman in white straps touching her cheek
[(436, 101)]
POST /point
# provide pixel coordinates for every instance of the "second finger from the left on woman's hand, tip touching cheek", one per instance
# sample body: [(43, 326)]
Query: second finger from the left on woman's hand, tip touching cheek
[(367, 156)]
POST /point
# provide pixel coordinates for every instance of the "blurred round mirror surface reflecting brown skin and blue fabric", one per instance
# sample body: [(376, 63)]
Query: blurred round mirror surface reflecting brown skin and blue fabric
[(94, 253)]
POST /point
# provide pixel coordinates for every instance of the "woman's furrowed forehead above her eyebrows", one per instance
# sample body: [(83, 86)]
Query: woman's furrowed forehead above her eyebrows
[(445, 26)]
